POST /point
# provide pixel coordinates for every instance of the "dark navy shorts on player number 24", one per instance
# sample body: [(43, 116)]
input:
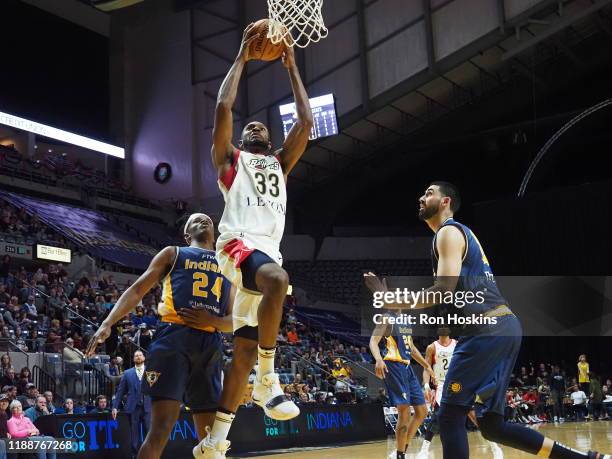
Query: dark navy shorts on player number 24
[(185, 364)]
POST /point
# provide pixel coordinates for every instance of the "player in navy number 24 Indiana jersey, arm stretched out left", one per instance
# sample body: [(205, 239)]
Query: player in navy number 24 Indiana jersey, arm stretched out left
[(185, 361)]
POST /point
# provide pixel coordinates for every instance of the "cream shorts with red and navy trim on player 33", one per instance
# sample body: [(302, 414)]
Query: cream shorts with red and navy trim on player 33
[(239, 264)]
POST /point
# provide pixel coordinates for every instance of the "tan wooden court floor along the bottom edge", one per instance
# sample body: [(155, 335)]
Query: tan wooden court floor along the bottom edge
[(582, 436)]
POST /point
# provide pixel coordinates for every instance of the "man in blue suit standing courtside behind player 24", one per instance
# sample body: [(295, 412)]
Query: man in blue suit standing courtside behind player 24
[(137, 405)]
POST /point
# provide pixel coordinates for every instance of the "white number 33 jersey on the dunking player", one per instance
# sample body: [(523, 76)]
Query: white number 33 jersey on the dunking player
[(255, 203)]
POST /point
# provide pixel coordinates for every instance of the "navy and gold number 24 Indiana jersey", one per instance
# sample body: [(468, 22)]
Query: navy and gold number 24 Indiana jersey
[(195, 280)]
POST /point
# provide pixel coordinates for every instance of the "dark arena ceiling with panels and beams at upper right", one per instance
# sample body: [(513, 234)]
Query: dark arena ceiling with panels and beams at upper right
[(393, 122)]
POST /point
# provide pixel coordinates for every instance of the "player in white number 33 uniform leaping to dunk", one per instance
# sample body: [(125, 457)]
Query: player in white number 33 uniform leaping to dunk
[(252, 179)]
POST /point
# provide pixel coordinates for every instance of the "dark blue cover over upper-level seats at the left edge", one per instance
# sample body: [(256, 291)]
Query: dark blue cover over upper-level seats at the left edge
[(90, 230)]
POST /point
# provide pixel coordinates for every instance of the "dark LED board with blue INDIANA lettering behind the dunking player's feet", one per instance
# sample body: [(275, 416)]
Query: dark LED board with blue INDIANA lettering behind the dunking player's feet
[(317, 425)]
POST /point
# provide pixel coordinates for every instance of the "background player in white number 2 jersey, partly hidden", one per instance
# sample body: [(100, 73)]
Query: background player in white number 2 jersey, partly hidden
[(439, 355)]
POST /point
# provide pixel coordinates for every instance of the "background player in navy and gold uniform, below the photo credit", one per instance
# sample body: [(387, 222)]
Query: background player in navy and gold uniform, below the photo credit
[(402, 385)]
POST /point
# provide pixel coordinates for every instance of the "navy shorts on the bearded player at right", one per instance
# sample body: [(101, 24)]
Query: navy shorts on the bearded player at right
[(479, 372)]
